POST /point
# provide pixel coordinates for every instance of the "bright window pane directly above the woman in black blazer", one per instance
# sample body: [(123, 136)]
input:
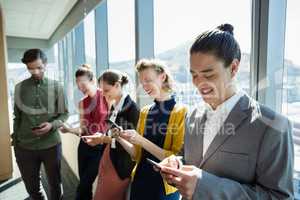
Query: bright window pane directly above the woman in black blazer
[(121, 38)]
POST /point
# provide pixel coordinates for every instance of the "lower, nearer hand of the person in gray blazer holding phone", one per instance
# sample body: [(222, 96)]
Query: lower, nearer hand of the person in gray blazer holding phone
[(184, 179)]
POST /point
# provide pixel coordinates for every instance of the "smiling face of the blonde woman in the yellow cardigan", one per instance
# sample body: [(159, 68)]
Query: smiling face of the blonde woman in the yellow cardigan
[(152, 82)]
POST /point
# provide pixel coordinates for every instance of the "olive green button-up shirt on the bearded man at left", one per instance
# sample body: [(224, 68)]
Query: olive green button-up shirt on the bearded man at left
[(36, 102)]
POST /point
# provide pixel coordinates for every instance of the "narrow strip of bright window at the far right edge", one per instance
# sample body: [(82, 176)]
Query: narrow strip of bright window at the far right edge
[(291, 79)]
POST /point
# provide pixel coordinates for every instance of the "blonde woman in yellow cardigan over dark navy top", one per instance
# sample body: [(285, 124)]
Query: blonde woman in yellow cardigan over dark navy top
[(159, 134)]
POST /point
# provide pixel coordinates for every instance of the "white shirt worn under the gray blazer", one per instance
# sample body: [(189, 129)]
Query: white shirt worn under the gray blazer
[(216, 118)]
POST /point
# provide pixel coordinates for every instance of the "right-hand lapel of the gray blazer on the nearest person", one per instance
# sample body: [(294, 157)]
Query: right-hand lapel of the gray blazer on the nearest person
[(238, 114)]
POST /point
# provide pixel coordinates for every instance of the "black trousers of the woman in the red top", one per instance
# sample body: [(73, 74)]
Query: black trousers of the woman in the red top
[(88, 165)]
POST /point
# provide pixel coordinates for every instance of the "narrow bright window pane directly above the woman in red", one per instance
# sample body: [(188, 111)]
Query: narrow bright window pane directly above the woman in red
[(89, 40)]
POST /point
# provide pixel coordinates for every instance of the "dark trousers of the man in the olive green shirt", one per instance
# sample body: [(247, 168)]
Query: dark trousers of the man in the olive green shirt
[(29, 163)]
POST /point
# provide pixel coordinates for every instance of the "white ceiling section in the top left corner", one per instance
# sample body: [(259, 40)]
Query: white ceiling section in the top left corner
[(34, 18)]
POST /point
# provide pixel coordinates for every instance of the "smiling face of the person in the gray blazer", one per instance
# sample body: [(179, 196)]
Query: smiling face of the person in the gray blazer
[(213, 80)]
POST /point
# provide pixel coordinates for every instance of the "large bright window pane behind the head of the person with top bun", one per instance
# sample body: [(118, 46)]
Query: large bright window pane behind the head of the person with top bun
[(176, 26)]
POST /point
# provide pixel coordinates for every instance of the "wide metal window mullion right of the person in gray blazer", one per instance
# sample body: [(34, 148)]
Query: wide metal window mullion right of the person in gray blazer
[(267, 56)]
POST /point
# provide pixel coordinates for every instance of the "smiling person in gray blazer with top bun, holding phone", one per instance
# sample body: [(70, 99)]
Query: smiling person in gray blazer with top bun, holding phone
[(235, 148)]
